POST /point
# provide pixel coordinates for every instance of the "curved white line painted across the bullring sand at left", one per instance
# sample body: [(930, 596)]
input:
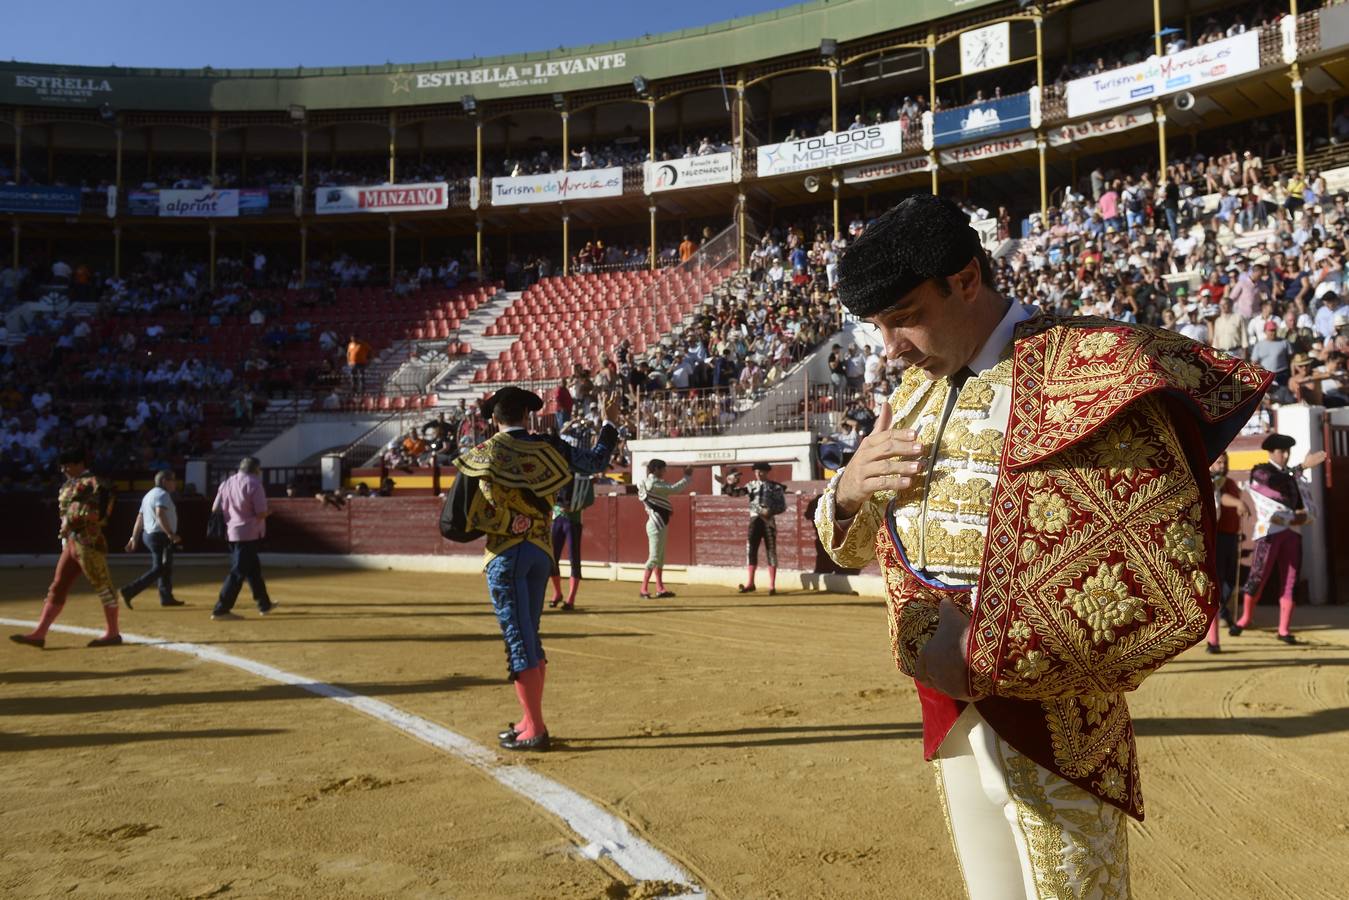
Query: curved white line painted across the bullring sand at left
[(602, 835)]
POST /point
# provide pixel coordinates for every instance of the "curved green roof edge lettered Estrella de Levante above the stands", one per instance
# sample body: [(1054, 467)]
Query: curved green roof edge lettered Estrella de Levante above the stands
[(722, 45)]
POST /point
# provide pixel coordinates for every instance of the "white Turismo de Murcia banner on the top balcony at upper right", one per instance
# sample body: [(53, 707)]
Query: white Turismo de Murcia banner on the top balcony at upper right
[(1161, 76)]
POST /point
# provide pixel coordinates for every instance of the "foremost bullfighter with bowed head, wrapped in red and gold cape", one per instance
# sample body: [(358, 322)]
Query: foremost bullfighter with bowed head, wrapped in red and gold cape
[(1037, 495)]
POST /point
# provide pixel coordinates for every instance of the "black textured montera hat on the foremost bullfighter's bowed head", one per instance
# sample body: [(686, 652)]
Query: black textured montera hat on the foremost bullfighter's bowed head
[(922, 238)]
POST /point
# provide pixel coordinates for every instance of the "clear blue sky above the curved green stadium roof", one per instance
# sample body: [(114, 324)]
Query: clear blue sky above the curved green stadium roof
[(331, 33)]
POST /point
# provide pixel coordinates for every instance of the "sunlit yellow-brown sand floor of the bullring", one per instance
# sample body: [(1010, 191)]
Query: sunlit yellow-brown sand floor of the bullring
[(767, 746)]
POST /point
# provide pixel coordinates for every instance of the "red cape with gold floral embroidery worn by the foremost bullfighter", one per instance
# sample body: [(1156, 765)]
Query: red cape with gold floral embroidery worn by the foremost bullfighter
[(1099, 561)]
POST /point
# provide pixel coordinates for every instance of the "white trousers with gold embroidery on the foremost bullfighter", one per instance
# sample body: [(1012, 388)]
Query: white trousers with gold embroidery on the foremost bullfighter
[(1021, 832)]
